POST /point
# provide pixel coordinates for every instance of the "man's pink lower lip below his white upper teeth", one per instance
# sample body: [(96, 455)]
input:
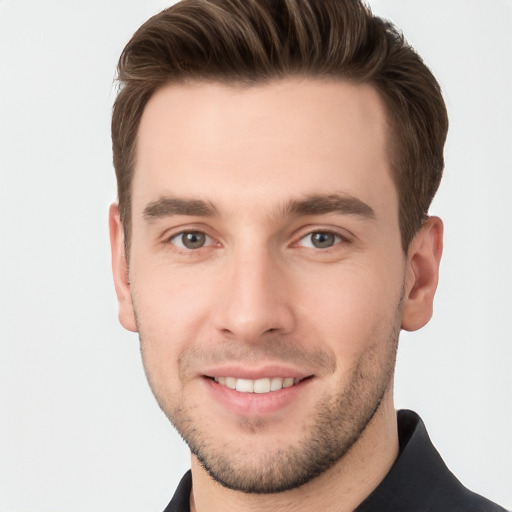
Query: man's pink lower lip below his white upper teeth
[(255, 404)]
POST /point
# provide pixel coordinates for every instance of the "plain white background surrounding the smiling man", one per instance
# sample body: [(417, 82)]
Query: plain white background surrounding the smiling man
[(79, 429)]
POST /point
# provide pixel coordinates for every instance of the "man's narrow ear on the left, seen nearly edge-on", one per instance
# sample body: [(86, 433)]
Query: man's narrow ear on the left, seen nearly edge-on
[(120, 270)]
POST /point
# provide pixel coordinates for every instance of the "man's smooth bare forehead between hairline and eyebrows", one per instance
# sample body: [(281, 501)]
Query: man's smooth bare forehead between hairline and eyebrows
[(270, 141)]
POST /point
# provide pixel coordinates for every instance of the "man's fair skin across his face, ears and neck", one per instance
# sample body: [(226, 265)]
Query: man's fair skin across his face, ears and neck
[(258, 298)]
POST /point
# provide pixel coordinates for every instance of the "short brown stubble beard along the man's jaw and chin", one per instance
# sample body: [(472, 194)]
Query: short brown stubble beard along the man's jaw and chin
[(337, 423)]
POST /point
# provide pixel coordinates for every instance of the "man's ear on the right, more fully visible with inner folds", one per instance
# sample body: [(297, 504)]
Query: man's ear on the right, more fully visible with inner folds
[(423, 258)]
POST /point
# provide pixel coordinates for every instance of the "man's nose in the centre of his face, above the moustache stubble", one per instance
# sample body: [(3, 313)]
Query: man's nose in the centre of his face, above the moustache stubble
[(254, 298)]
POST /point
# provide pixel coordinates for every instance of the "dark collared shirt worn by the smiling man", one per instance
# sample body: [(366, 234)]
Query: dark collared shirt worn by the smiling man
[(419, 481)]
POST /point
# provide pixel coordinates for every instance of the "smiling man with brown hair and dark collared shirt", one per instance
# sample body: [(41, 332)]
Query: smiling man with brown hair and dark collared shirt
[(275, 165)]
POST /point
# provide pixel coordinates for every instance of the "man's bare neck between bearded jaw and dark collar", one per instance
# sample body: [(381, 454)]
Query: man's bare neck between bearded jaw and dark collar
[(341, 488)]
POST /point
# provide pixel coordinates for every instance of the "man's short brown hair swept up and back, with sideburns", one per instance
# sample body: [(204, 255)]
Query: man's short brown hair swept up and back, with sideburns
[(255, 41)]
